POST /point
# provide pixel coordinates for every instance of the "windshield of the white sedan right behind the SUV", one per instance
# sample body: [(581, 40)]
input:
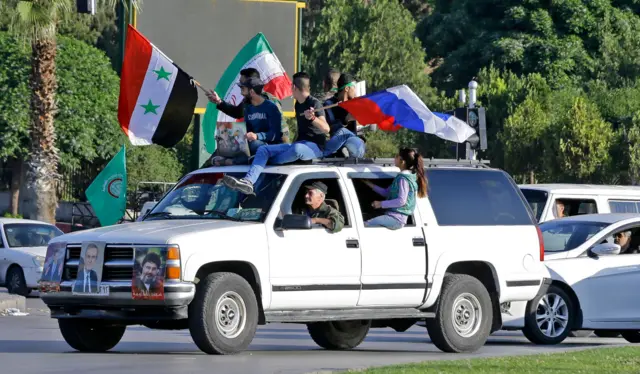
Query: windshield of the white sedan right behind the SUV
[(559, 236)]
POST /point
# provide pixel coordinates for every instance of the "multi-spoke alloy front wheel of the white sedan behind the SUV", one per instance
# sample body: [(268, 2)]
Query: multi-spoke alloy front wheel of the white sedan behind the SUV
[(549, 317)]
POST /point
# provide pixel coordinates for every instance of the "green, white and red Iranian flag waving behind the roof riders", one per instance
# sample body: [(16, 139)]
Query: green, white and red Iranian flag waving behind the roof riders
[(257, 54)]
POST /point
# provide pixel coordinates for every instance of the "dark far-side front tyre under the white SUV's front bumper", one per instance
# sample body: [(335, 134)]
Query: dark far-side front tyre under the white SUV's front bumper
[(90, 335)]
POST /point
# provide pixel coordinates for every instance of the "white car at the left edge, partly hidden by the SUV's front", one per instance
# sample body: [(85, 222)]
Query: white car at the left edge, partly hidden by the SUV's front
[(23, 246)]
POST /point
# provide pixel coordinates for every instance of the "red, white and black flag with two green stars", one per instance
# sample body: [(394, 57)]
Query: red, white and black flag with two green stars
[(157, 98)]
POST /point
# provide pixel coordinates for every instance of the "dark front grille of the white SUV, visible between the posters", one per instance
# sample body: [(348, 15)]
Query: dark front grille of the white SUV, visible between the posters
[(118, 263)]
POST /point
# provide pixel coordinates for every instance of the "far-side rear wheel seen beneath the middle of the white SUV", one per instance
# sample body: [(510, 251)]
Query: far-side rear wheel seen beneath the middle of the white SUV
[(339, 335)]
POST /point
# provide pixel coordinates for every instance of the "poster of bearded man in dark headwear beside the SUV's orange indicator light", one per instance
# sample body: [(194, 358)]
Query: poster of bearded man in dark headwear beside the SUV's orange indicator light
[(148, 274)]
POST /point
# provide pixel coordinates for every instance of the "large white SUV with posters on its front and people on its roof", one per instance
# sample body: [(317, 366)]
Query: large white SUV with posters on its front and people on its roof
[(232, 262)]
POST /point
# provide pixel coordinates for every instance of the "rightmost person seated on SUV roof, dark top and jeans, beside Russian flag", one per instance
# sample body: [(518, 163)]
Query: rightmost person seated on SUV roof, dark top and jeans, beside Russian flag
[(343, 125)]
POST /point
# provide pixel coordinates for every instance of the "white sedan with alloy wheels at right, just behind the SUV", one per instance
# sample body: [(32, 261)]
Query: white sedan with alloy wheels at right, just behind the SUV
[(594, 263)]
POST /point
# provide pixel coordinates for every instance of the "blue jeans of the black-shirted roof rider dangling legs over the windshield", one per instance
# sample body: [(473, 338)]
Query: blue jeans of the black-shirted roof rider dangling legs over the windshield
[(278, 154)]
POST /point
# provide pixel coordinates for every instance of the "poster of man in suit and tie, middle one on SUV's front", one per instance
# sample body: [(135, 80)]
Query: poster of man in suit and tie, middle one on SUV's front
[(90, 270)]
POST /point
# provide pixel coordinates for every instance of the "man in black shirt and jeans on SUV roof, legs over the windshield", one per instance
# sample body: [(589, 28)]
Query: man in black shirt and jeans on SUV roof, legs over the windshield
[(312, 136)]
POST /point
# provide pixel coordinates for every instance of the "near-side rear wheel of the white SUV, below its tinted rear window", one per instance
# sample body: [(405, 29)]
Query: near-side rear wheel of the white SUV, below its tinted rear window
[(464, 315)]
